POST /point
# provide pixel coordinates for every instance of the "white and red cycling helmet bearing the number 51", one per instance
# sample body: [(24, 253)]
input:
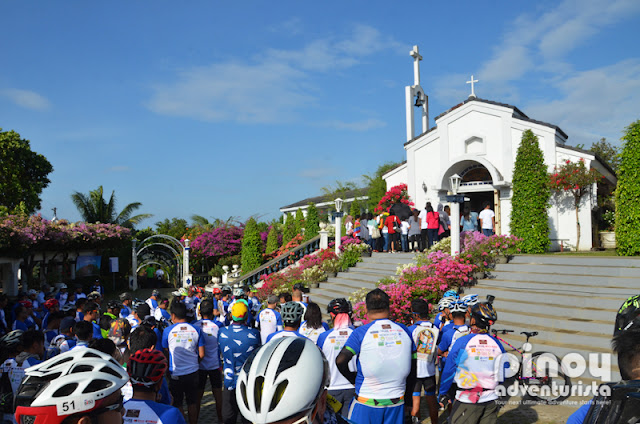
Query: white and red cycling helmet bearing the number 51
[(74, 382)]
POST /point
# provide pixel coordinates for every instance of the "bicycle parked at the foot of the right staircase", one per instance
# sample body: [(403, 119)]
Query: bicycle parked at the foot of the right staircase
[(551, 380)]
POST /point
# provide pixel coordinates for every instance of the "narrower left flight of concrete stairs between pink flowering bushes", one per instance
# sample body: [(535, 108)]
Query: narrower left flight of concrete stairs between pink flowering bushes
[(364, 275)]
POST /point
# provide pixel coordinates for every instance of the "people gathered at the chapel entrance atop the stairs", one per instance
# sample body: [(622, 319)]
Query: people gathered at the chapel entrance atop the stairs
[(388, 232)]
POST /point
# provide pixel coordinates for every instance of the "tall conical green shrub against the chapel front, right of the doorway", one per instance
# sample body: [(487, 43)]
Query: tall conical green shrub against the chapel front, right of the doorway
[(531, 193)]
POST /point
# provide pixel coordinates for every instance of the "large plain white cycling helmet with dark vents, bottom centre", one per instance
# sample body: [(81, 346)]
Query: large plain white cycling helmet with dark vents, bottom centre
[(283, 378)]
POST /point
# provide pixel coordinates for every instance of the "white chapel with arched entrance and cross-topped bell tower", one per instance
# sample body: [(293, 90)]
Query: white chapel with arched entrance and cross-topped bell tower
[(478, 140)]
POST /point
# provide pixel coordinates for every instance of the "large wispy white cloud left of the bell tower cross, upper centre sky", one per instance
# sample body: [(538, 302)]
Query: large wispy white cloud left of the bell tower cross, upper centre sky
[(272, 88)]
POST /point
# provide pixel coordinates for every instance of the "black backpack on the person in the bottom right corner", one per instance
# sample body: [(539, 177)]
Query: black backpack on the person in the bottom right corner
[(623, 406)]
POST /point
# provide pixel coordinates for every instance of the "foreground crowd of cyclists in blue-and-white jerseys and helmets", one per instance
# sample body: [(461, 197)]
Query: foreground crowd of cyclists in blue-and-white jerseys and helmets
[(137, 361)]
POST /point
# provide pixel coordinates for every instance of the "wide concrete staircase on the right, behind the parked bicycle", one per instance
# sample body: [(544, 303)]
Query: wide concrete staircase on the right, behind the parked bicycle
[(571, 301)]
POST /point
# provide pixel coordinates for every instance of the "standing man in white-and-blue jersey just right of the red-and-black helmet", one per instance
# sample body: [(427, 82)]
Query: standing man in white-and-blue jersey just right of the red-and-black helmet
[(185, 345)]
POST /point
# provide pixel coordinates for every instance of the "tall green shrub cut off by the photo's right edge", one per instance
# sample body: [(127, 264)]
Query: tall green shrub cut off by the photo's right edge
[(628, 194)]
